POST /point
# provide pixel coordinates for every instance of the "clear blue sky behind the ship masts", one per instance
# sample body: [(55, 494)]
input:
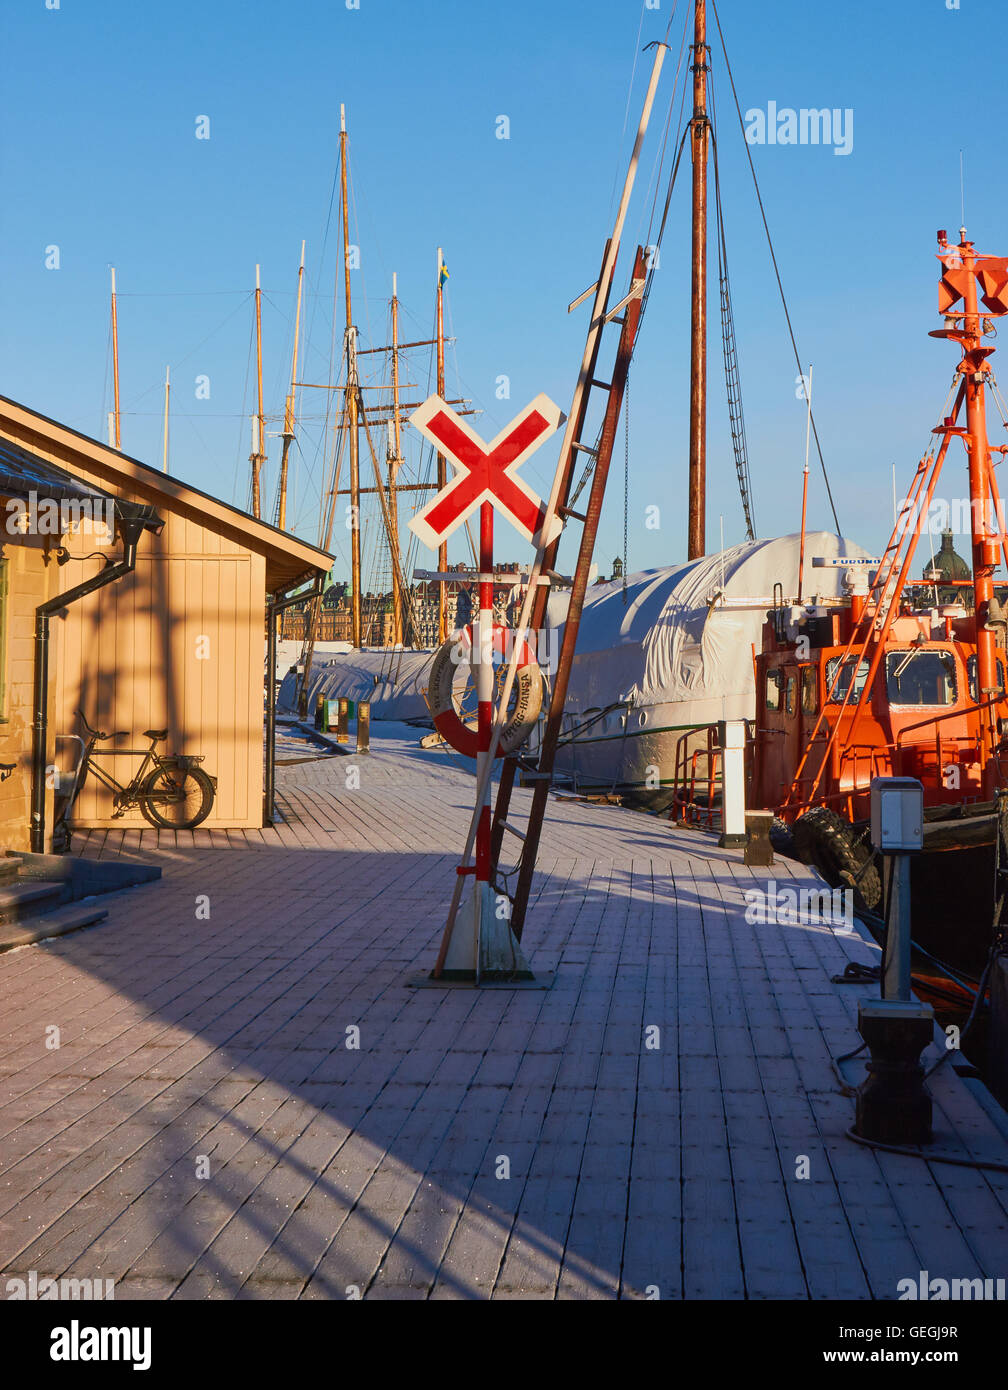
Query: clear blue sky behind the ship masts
[(101, 159)]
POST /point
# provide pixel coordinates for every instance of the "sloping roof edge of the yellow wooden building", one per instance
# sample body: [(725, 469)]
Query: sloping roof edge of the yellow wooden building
[(288, 559)]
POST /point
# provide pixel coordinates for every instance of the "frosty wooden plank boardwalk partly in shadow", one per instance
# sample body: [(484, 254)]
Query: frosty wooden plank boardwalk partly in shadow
[(664, 1122)]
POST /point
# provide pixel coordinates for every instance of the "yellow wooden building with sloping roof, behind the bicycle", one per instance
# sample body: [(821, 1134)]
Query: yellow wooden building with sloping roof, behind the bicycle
[(179, 644)]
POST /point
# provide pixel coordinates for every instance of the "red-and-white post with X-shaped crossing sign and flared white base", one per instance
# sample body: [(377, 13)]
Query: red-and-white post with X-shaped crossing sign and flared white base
[(482, 946)]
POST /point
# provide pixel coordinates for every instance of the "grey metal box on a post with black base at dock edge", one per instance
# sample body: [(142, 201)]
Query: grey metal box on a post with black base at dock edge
[(893, 1104)]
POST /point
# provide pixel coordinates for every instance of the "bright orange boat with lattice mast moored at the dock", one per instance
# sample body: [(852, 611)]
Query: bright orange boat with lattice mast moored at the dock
[(884, 685)]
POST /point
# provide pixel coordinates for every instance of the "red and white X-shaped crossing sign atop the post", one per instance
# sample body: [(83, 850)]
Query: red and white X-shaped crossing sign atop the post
[(486, 472)]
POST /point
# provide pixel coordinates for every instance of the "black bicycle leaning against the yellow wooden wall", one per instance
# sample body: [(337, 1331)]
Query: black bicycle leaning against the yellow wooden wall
[(174, 796)]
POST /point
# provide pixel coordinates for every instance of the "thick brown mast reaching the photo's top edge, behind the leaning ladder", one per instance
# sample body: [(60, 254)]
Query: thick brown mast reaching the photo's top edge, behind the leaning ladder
[(697, 529)]
